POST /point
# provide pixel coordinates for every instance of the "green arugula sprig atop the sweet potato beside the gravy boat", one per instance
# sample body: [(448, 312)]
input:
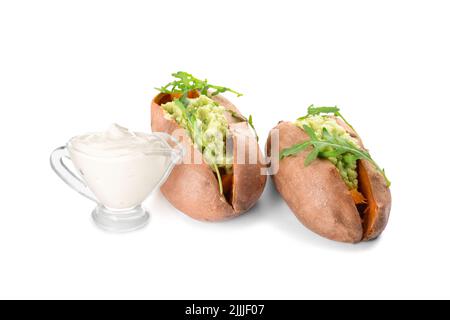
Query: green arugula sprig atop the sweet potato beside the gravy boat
[(186, 82)]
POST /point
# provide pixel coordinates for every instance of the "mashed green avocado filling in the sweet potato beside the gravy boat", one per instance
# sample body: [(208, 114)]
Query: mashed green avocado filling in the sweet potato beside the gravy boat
[(204, 119)]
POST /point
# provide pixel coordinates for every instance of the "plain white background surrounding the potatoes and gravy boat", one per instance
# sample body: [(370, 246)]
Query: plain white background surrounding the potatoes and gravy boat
[(68, 67)]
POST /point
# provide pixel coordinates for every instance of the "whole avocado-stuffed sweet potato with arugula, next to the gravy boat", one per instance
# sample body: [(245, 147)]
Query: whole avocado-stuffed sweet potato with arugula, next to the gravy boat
[(218, 178)]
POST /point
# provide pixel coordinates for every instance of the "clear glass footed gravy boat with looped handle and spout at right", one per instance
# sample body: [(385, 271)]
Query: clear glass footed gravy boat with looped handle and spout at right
[(119, 183)]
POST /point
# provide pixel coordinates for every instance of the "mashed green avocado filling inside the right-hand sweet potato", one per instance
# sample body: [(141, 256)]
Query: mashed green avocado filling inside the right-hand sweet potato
[(345, 163)]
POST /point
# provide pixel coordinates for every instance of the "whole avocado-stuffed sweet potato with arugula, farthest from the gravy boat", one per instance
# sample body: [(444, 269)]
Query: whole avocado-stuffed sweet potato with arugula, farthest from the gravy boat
[(328, 178)]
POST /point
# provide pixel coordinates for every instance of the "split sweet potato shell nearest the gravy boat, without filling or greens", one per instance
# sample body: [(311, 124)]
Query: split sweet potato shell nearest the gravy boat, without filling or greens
[(194, 188)]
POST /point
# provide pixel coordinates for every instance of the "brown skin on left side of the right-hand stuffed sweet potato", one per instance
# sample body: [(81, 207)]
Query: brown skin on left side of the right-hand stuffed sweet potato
[(316, 194)]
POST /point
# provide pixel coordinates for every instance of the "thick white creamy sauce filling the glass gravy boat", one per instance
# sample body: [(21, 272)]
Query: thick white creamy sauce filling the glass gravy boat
[(120, 167)]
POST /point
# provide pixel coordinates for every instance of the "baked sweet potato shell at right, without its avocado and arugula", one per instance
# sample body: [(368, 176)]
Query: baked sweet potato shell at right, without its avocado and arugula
[(320, 198)]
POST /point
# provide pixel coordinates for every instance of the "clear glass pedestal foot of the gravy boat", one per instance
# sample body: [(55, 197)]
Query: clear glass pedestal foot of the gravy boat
[(120, 220)]
